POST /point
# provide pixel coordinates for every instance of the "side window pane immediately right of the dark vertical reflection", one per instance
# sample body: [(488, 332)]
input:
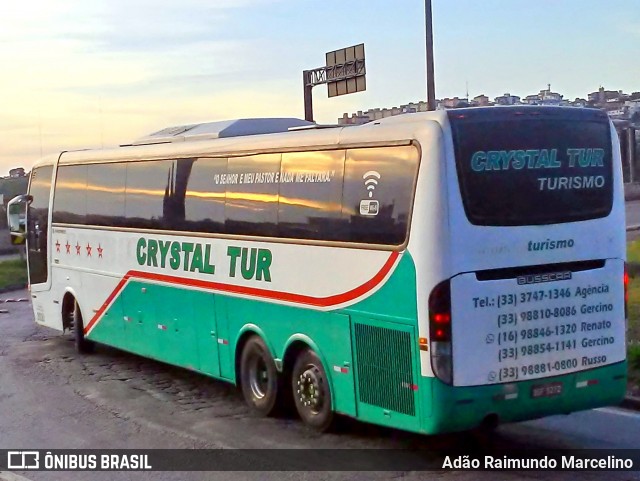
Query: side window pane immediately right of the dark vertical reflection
[(205, 197)]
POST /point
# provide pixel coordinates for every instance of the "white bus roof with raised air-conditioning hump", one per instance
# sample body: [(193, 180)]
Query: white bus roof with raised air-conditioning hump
[(252, 135)]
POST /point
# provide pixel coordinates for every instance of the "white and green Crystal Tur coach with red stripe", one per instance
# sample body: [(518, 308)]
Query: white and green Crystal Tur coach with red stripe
[(430, 272)]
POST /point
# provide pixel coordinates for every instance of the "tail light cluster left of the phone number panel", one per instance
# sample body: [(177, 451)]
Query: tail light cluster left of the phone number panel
[(440, 331)]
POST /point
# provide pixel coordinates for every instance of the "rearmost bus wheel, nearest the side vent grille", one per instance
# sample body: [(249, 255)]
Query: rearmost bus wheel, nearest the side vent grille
[(311, 391)]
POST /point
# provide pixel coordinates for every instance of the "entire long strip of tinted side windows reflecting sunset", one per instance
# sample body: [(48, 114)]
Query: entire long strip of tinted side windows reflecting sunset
[(357, 195)]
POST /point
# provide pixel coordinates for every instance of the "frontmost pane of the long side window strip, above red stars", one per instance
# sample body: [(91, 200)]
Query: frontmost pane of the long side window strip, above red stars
[(70, 200)]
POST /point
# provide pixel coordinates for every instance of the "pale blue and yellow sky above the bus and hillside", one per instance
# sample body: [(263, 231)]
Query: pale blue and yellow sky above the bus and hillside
[(79, 74)]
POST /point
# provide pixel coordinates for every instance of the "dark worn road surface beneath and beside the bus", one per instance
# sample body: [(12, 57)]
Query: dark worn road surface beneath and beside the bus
[(52, 398)]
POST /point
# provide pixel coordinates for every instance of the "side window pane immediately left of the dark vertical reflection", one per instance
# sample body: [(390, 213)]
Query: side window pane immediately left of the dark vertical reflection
[(150, 191)]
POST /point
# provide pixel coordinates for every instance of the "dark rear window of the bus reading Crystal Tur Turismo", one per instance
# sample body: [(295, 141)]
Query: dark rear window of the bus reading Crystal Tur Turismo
[(533, 165)]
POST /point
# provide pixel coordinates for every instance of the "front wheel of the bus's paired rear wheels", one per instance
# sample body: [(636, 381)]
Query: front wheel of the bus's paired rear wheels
[(259, 378)]
